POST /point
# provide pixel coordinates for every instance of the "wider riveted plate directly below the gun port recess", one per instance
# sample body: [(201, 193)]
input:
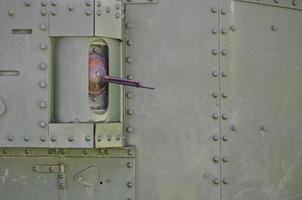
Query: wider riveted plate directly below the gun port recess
[(72, 135)]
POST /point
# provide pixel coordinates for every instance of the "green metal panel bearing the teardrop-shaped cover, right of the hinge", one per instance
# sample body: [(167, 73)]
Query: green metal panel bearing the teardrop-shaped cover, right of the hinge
[(114, 178)]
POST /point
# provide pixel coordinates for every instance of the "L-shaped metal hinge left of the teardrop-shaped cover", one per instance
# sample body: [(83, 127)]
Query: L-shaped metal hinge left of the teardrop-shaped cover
[(57, 169)]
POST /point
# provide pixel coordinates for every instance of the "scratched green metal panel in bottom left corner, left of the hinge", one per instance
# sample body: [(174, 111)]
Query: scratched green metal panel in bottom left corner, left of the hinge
[(19, 181)]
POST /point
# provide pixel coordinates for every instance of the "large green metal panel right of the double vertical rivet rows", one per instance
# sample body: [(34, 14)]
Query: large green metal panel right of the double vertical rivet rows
[(263, 129)]
